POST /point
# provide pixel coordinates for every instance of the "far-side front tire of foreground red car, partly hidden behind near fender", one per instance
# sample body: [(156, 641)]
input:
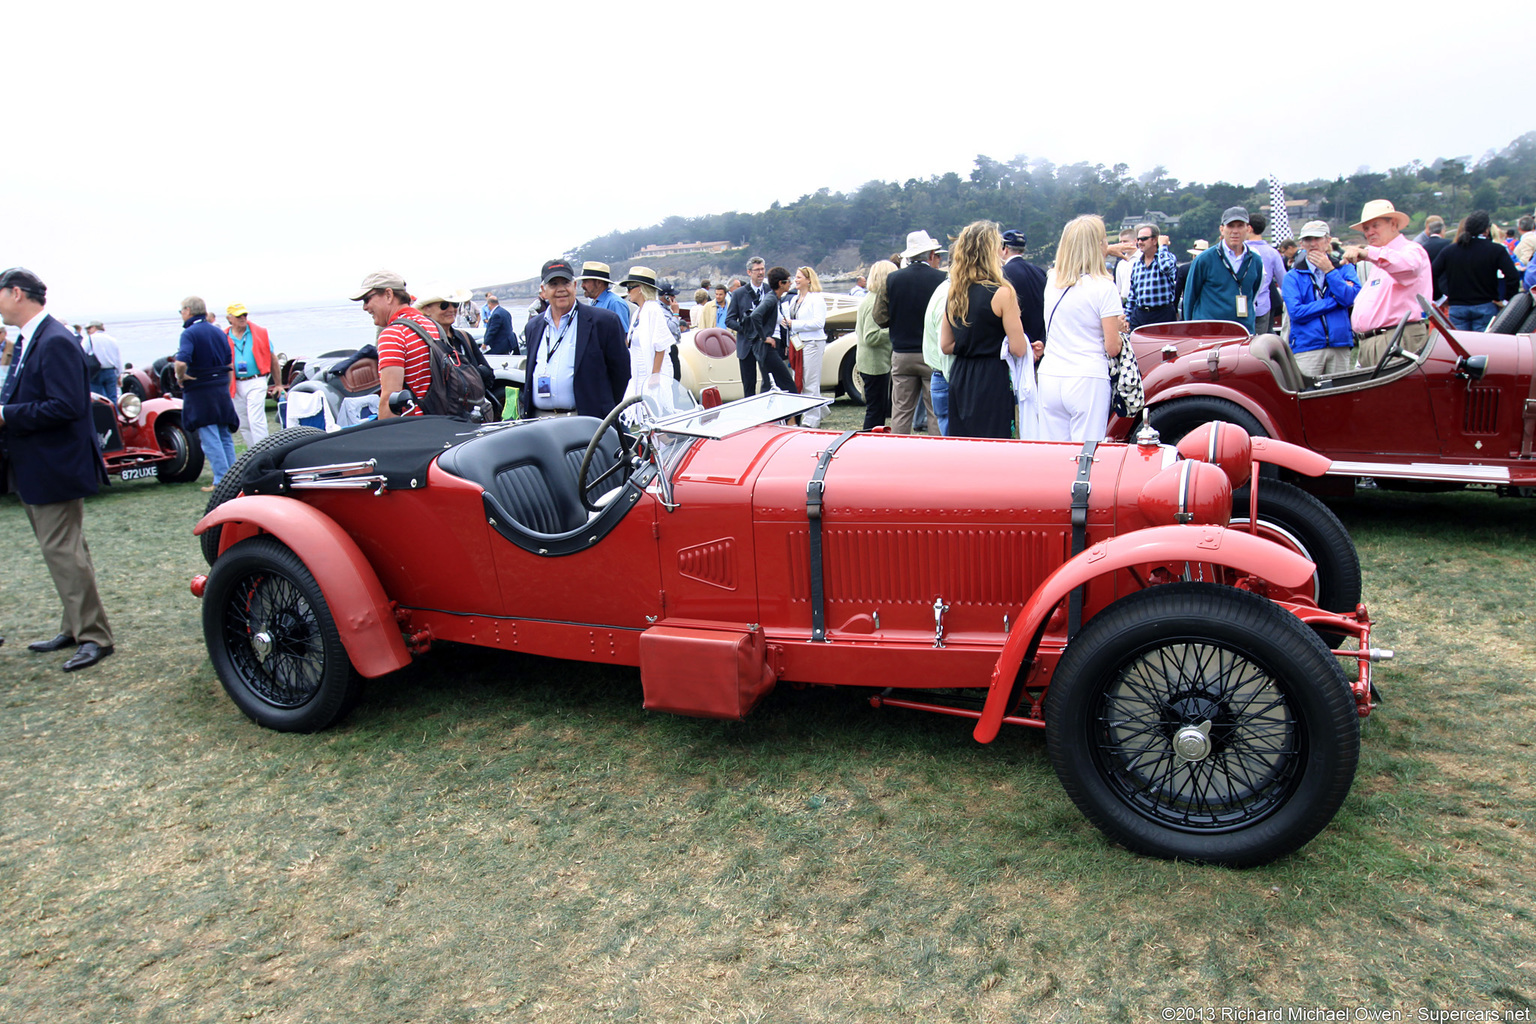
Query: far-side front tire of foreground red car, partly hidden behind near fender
[(1314, 532)]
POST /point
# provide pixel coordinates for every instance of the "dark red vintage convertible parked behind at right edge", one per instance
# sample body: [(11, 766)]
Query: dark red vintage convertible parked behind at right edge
[(1458, 411)]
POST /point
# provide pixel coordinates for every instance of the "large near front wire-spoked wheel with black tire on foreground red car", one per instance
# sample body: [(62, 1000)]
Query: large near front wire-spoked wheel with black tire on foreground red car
[(1266, 724)]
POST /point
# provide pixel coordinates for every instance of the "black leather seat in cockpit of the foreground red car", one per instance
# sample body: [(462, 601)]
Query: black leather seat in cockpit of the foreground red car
[(529, 472)]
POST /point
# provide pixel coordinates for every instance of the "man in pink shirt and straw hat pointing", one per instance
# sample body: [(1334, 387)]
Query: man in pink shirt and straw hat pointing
[(1394, 274)]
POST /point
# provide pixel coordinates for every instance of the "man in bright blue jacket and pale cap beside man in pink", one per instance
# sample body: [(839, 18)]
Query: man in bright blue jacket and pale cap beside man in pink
[(1319, 297)]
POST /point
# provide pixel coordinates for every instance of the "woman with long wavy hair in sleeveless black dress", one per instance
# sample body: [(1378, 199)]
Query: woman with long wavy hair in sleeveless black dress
[(981, 315)]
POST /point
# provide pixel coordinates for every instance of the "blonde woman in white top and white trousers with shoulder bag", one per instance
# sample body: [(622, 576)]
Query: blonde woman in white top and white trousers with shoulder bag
[(1084, 325)]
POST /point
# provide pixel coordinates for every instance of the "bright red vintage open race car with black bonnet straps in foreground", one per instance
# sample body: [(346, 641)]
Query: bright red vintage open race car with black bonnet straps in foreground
[(1176, 662)]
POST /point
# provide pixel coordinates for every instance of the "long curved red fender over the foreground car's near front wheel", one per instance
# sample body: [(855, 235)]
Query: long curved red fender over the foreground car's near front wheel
[(1159, 544)]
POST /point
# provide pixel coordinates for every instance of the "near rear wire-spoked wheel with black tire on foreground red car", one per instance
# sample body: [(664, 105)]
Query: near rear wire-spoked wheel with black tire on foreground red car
[(273, 639)]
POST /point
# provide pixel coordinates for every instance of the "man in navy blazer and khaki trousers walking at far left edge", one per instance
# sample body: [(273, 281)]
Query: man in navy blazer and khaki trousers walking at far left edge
[(55, 460)]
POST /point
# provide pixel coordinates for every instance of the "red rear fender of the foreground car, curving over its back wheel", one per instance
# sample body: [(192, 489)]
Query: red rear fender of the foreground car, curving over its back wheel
[(353, 590)]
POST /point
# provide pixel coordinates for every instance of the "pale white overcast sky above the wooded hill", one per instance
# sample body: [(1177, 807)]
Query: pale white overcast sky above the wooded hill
[(277, 153)]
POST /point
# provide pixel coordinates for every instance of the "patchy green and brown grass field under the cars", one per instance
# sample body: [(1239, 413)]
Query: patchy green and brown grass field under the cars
[(505, 839)]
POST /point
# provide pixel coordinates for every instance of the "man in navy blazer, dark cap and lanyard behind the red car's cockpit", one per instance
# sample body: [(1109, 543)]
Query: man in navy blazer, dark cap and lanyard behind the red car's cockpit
[(578, 360)]
